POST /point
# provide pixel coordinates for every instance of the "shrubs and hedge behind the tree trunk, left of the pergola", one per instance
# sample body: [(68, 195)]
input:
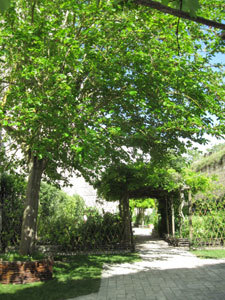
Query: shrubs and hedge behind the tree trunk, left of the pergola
[(61, 218)]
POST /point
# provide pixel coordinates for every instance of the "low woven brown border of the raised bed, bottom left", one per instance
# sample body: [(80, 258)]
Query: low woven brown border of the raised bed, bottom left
[(18, 272)]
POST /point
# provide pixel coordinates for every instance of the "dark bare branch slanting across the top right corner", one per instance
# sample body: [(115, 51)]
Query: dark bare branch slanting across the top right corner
[(179, 13)]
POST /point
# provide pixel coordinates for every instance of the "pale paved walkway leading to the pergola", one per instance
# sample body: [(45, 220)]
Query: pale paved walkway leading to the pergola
[(165, 273)]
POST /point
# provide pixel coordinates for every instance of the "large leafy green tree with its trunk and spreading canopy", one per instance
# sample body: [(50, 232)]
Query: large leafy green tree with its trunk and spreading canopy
[(78, 82)]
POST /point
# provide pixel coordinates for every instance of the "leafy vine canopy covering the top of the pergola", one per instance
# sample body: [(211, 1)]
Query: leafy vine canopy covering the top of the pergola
[(155, 178)]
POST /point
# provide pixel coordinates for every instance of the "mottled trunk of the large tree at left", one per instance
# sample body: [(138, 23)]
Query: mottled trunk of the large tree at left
[(29, 226)]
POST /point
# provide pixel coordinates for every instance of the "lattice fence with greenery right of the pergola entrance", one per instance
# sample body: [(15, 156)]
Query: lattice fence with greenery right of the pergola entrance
[(202, 223)]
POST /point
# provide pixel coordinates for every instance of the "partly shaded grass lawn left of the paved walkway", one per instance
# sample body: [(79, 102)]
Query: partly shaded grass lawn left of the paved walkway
[(72, 277)]
